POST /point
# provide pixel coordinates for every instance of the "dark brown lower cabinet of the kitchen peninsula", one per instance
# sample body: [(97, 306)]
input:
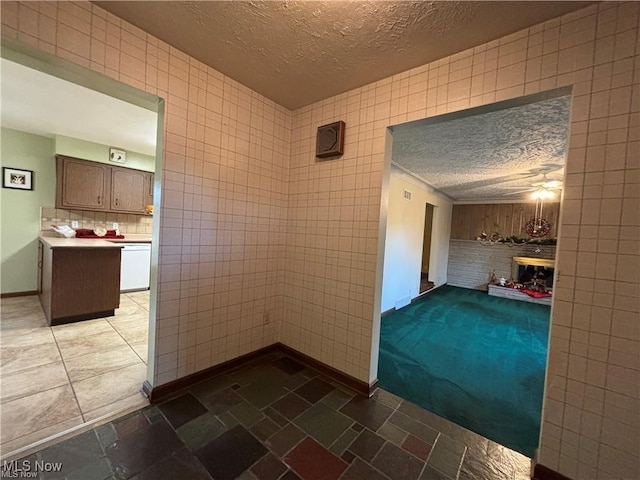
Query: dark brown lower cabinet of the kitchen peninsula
[(79, 283)]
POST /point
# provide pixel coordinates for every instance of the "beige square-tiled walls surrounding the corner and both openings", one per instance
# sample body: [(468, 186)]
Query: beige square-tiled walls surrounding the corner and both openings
[(298, 240)]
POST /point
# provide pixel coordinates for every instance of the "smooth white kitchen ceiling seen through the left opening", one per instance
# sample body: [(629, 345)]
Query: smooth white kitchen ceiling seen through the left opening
[(42, 104)]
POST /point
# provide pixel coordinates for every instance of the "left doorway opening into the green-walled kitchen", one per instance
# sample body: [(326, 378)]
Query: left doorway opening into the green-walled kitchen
[(57, 379)]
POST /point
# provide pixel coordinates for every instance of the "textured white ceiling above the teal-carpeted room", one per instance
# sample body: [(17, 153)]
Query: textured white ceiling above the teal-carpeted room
[(487, 153)]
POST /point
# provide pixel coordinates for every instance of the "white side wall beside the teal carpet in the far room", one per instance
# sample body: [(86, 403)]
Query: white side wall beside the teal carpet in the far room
[(405, 234)]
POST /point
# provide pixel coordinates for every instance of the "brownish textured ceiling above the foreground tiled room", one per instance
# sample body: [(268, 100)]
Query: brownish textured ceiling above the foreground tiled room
[(299, 52)]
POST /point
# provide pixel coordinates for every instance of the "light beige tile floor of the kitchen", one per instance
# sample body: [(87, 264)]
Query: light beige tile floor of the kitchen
[(53, 379)]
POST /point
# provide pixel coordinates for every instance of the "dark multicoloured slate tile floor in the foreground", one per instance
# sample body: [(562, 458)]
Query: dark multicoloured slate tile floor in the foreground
[(274, 418)]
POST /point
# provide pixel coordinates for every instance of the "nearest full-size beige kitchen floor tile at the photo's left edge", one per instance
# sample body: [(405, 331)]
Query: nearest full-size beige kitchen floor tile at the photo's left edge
[(32, 413)]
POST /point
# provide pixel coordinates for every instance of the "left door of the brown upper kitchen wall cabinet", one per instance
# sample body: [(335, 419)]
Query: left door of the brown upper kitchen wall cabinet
[(81, 184)]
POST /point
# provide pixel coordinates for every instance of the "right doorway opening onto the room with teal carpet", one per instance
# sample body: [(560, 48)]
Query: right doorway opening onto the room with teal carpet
[(494, 156)]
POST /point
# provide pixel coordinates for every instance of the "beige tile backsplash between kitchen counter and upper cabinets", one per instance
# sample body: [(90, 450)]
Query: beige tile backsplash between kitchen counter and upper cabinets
[(127, 223)]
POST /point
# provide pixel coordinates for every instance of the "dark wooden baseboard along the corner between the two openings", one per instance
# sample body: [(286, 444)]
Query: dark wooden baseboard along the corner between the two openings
[(177, 387)]
